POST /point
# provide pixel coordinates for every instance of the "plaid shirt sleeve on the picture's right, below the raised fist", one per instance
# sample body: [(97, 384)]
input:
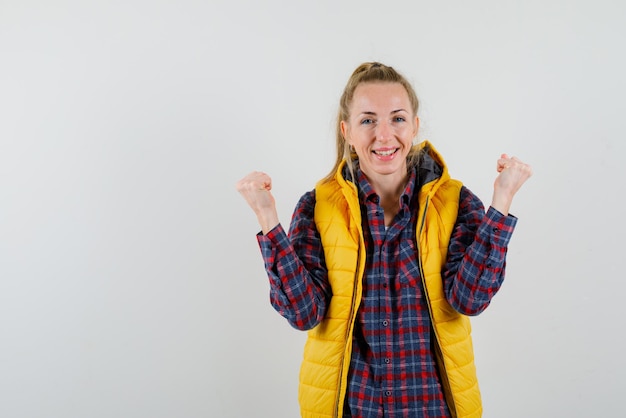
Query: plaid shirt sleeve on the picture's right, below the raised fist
[(475, 266)]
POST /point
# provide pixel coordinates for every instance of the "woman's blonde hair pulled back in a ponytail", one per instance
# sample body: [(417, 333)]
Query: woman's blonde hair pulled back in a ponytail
[(369, 72)]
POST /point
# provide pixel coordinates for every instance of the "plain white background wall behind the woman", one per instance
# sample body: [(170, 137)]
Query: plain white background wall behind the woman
[(131, 284)]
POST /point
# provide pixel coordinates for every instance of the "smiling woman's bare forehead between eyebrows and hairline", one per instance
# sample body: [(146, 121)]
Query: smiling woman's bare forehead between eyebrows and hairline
[(380, 96)]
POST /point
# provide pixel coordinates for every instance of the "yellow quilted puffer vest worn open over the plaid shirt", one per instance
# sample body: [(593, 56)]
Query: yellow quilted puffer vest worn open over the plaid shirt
[(327, 352)]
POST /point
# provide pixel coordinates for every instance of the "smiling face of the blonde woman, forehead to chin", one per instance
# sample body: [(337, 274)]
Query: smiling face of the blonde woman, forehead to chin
[(381, 128)]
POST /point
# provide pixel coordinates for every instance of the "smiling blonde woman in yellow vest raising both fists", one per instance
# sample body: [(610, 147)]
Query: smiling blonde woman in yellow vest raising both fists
[(384, 261)]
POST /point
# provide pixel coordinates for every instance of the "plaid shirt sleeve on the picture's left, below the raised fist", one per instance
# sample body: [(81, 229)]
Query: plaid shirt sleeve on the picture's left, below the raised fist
[(299, 286)]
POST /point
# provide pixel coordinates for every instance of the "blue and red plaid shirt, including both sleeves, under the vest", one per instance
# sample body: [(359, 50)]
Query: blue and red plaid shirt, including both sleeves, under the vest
[(392, 372)]
